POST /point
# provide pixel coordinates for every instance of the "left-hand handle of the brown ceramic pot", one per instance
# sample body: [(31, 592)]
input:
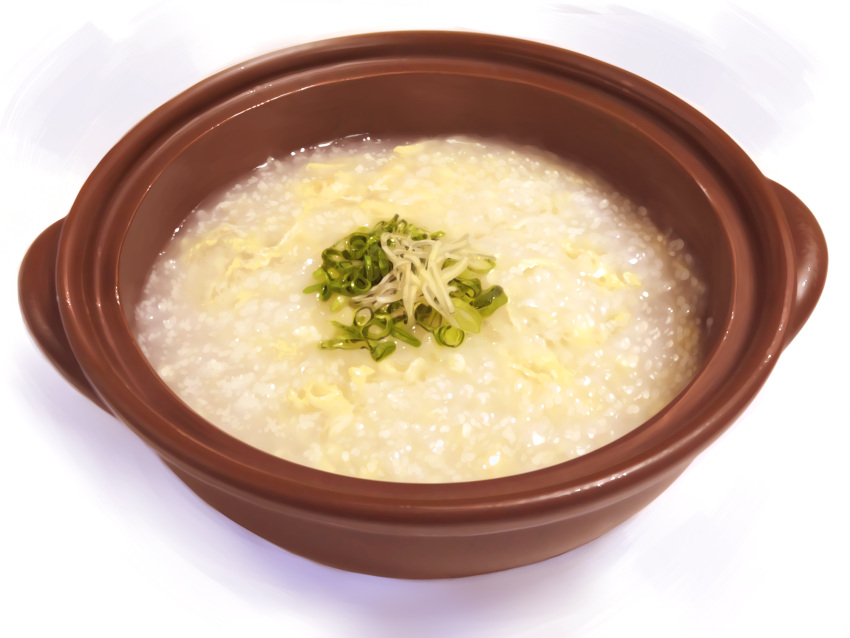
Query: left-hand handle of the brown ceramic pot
[(40, 309)]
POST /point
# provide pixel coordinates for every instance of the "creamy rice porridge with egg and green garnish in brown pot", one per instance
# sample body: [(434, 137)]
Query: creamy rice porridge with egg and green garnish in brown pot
[(451, 309)]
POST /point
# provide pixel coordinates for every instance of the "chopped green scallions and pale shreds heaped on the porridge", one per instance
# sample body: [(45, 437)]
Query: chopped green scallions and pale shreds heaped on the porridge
[(397, 276)]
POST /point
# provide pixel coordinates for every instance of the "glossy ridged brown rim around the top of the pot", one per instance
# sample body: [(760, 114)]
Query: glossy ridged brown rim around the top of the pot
[(87, 311)]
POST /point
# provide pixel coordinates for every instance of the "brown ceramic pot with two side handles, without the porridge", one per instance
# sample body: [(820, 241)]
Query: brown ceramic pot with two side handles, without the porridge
[(763, 252)]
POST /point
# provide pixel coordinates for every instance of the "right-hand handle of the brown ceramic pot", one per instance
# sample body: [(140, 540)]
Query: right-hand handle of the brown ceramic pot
[(810, 254)]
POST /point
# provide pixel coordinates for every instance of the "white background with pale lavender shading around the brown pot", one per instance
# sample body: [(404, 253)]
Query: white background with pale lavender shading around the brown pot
[(98, 536)]
